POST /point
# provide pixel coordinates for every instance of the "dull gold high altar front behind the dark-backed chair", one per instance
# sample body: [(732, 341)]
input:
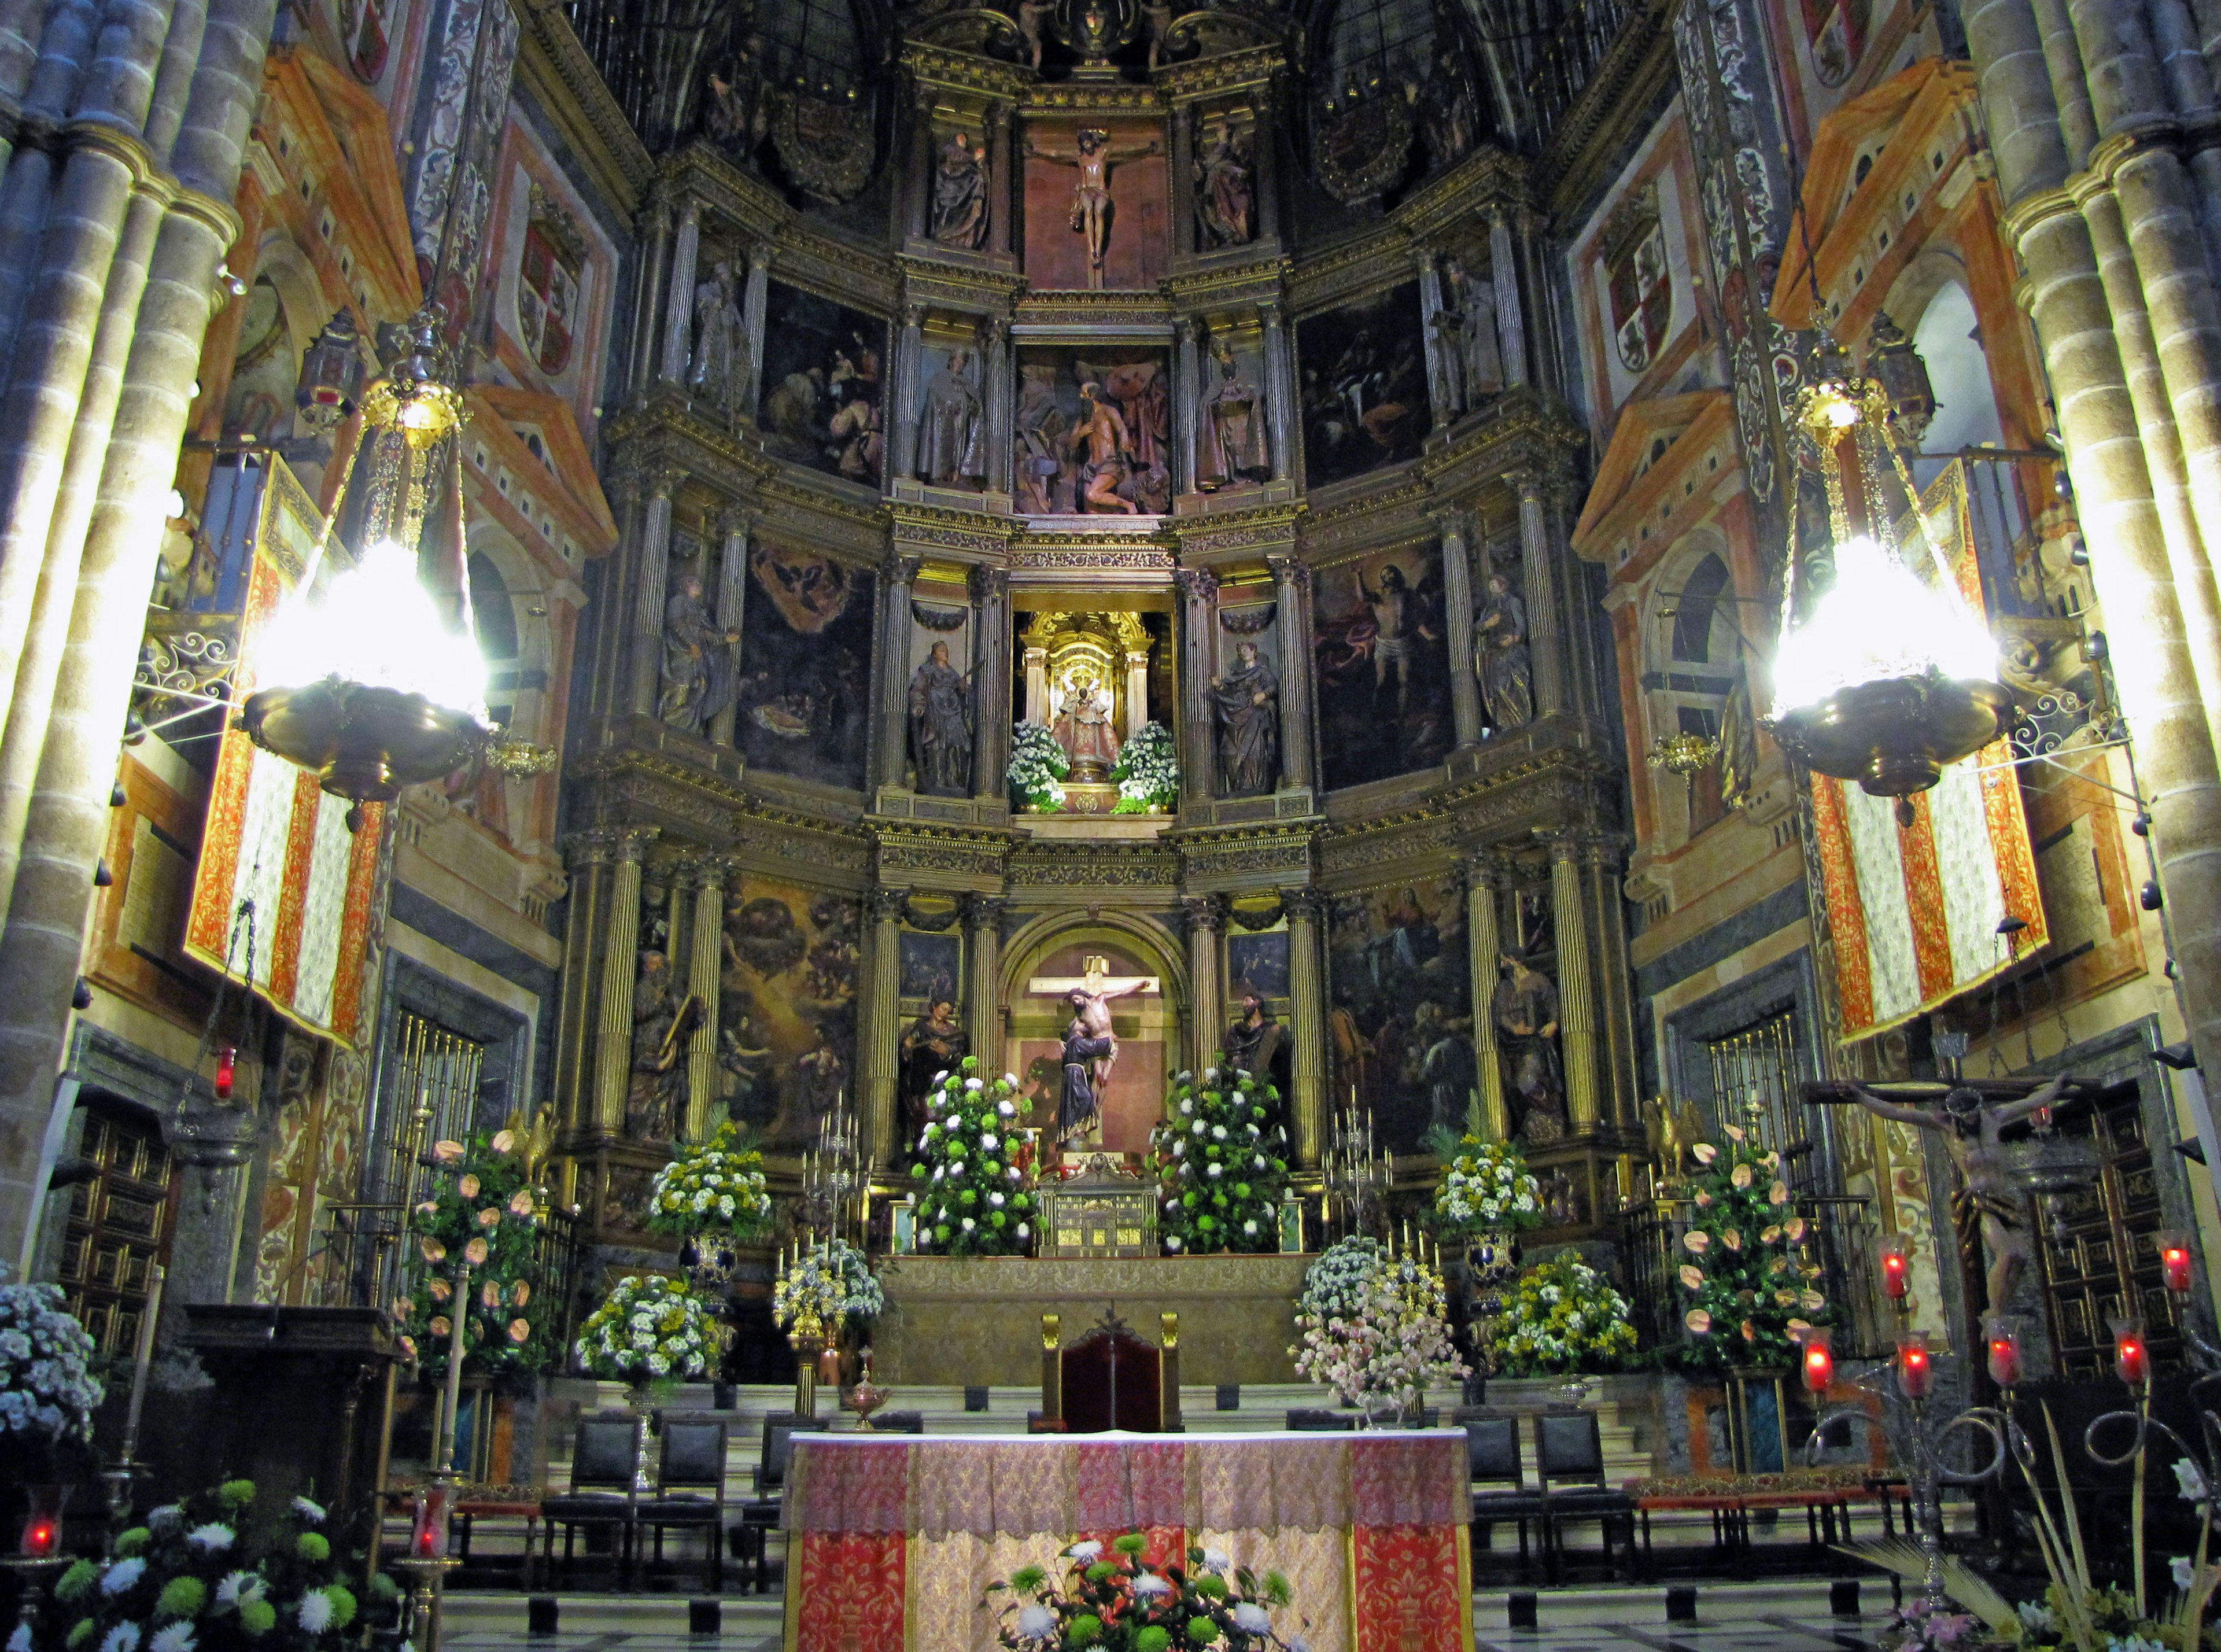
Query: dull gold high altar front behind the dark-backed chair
[(978, 1320)]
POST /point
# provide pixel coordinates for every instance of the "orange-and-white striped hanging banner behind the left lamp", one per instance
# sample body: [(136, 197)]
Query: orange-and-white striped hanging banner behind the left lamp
[(274, 838)]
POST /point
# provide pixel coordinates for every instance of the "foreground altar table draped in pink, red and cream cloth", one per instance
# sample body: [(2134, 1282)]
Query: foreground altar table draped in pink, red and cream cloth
[(894, 1540)]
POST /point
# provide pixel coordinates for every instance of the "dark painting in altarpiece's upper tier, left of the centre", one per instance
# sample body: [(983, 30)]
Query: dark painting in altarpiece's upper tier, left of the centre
[(825, 367)]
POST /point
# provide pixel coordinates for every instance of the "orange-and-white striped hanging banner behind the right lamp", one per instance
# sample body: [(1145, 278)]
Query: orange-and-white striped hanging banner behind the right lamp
[(1916, 909)]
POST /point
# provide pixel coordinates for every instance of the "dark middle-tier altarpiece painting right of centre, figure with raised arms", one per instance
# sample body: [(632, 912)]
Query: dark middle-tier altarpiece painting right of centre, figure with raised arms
[(1383, 667)]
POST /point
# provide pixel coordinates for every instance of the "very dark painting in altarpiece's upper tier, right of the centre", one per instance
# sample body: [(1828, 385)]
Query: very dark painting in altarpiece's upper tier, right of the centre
[(1365, 385)]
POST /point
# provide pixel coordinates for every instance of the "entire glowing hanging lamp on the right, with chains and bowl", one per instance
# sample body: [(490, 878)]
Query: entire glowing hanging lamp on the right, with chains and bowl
[(1887, 676)]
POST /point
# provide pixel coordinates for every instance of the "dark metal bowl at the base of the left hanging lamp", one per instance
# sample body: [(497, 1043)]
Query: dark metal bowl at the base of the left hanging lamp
[(359, 741)]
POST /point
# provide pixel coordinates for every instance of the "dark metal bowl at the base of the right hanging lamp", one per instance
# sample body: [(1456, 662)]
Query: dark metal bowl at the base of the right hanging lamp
[(1896, 736)]
